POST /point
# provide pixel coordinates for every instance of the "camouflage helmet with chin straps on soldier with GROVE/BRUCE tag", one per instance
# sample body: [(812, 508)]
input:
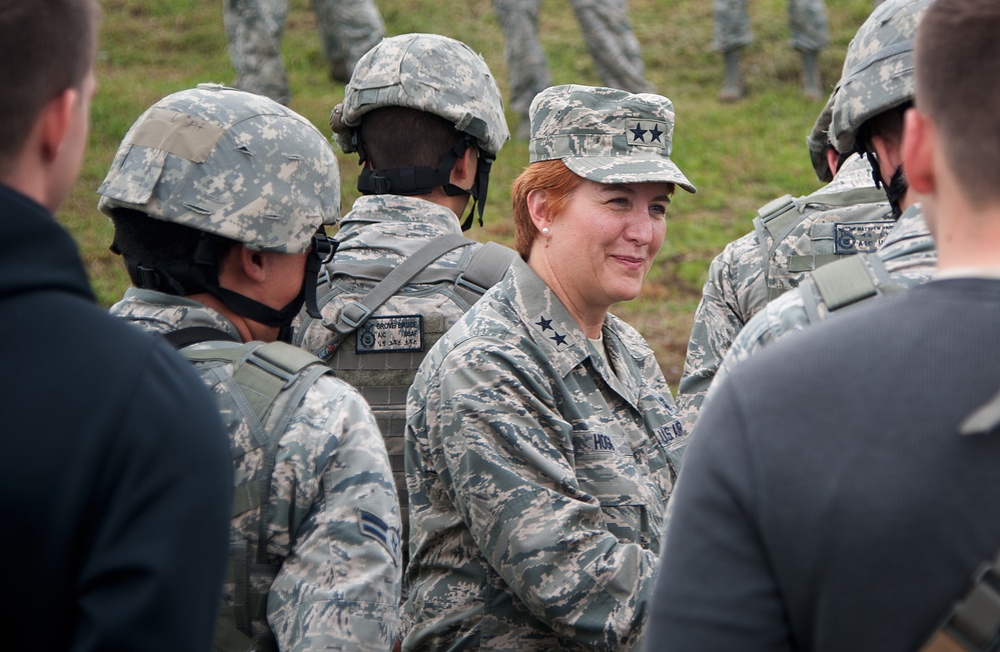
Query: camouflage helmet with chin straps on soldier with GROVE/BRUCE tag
[(437, 75)]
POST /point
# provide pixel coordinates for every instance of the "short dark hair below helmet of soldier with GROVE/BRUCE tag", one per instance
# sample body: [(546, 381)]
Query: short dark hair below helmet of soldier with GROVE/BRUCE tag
[(400, 137)]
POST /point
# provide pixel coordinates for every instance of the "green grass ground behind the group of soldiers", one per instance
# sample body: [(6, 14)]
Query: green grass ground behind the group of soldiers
[(739, 156)]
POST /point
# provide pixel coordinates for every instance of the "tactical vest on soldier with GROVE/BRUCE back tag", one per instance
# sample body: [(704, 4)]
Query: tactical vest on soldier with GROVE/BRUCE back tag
[(380, 355)]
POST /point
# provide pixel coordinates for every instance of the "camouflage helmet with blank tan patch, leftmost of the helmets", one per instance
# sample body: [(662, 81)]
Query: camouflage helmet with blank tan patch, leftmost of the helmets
[(227, 162)]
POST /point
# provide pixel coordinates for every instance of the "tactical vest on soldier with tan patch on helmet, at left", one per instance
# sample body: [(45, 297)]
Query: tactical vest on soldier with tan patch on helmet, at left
[(258, 388)]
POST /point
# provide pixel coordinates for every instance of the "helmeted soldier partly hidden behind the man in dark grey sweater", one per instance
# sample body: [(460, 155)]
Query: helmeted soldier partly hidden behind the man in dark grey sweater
[(877, 86)]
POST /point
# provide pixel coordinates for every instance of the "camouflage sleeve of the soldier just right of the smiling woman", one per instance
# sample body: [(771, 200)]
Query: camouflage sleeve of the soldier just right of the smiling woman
[(733, 291)]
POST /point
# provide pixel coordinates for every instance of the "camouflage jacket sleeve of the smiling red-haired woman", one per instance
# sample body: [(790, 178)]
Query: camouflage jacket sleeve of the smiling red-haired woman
[(494, 429)]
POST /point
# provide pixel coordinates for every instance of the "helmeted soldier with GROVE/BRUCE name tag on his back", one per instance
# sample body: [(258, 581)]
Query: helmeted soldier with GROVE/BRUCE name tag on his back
[(424, 114)]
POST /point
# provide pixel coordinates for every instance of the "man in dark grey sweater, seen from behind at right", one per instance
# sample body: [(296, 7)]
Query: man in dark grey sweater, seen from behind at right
[(856, 521)]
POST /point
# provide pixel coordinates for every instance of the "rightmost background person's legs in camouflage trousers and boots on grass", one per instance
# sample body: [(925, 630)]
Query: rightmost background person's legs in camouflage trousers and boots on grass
[(807, 19)]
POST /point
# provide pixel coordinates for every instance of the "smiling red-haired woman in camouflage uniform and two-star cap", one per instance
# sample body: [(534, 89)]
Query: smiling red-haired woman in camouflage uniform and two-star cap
[(541, 439)]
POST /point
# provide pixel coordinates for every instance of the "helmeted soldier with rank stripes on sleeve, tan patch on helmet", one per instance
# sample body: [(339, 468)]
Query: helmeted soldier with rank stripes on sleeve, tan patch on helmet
[(219, 199)]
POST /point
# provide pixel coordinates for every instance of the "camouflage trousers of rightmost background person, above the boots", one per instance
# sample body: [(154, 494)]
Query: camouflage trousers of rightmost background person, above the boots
[(807, 20)]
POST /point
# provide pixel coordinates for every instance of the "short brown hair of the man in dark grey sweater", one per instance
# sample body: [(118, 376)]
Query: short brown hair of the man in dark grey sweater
[(957, 64)]
